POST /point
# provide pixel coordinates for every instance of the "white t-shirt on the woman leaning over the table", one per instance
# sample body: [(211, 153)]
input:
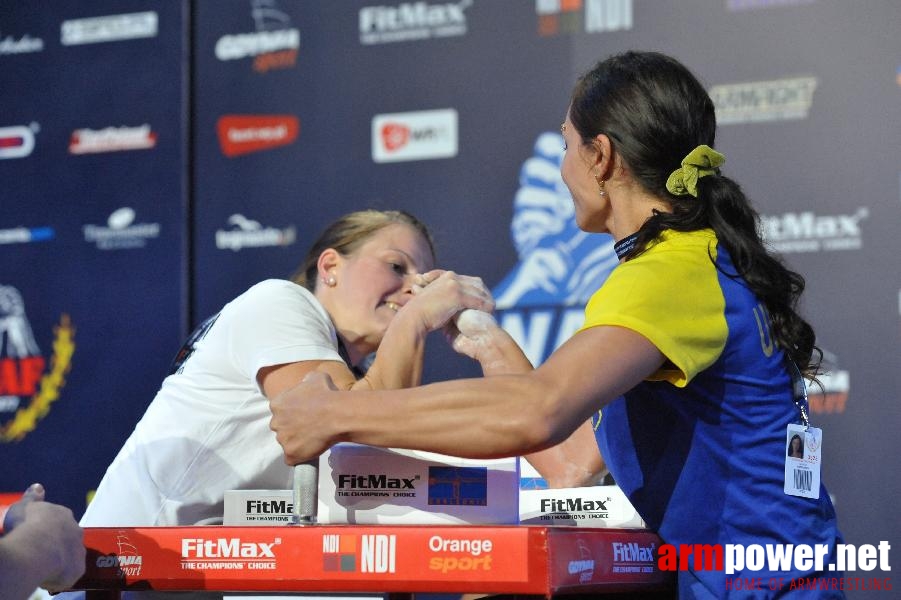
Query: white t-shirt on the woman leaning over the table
[(207, 429)]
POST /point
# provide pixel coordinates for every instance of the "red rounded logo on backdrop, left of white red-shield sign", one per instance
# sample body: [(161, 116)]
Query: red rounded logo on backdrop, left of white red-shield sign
[(243, 134)]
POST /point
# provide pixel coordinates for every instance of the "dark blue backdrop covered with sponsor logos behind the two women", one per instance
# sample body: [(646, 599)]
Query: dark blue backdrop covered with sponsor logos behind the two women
[(157, 159)]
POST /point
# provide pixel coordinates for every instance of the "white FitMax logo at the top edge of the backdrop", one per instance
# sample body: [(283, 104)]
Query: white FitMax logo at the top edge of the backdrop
[(412, 21)]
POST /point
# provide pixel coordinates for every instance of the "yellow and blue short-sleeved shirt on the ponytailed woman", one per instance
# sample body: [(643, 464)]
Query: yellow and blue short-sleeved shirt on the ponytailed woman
[(699, 447)]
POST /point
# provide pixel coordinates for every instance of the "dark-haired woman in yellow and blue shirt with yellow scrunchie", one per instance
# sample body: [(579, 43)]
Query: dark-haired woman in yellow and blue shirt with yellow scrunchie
[(687, 349)]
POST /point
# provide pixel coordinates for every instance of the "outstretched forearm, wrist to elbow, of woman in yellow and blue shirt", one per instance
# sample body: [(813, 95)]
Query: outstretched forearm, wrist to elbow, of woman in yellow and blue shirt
[(510, 415)]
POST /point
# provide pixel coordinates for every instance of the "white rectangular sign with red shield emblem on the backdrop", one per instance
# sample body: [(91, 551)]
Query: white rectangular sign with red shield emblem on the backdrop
[(417, 135)]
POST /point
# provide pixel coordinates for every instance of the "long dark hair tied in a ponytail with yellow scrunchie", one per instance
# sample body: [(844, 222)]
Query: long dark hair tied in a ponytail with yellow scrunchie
[(656, 112)]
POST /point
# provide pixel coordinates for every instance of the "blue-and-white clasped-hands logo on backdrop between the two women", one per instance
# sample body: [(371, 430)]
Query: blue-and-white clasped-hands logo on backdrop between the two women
[(541, 301)]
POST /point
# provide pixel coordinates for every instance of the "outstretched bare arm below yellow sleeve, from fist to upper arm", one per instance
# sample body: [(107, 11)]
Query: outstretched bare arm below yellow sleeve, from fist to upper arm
[(502, 415)]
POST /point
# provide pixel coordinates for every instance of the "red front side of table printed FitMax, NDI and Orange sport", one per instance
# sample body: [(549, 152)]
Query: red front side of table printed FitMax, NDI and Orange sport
[(301, 559)]
